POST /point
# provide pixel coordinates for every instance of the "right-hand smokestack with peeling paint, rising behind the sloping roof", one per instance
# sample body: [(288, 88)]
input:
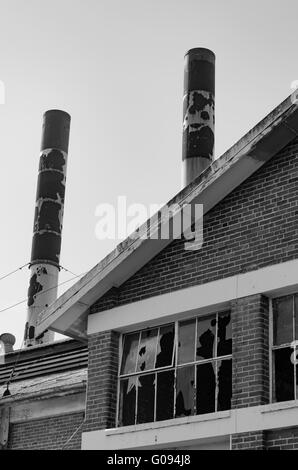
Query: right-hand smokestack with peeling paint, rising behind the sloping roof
[(198, 113)]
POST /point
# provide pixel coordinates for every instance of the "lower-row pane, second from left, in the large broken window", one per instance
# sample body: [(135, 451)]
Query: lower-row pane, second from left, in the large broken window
[(146, 393)]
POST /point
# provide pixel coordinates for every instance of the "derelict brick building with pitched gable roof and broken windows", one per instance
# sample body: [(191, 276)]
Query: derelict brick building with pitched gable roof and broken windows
[(195, 349)]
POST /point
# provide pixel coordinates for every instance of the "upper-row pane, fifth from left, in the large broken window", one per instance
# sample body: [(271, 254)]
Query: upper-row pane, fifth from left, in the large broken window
[(206, 337)]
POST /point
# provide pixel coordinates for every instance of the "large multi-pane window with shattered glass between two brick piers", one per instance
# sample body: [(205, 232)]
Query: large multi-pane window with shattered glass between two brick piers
[(175, 370)]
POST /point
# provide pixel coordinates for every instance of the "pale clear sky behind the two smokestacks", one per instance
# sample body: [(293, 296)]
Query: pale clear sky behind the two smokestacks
[(117, 67)]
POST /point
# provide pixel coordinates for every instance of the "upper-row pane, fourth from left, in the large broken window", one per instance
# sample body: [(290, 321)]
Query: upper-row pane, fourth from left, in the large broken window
[(186, 341)]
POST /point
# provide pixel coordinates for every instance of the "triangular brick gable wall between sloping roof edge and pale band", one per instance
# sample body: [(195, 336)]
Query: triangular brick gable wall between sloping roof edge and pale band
[(254, 226)]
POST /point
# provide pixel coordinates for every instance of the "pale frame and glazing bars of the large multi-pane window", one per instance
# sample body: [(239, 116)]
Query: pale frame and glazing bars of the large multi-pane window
[(174, 364)]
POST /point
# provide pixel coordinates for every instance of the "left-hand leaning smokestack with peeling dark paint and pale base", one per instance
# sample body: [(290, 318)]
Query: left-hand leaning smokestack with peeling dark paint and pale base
[(46, 243)]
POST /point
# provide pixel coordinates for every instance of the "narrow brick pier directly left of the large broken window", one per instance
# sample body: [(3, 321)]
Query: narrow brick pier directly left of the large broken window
[(102, 381)]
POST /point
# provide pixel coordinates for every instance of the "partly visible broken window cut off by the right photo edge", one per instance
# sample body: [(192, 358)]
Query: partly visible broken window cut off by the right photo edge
[(285, 336)]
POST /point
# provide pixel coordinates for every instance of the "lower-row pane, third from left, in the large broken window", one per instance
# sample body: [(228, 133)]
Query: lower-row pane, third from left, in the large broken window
[(165, 395)]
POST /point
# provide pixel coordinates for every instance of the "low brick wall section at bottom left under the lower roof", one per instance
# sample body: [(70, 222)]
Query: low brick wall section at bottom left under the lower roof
[(47, 434)]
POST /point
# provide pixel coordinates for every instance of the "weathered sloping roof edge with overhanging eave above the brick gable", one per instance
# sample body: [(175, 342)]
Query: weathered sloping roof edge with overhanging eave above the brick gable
[(68, 314)]
